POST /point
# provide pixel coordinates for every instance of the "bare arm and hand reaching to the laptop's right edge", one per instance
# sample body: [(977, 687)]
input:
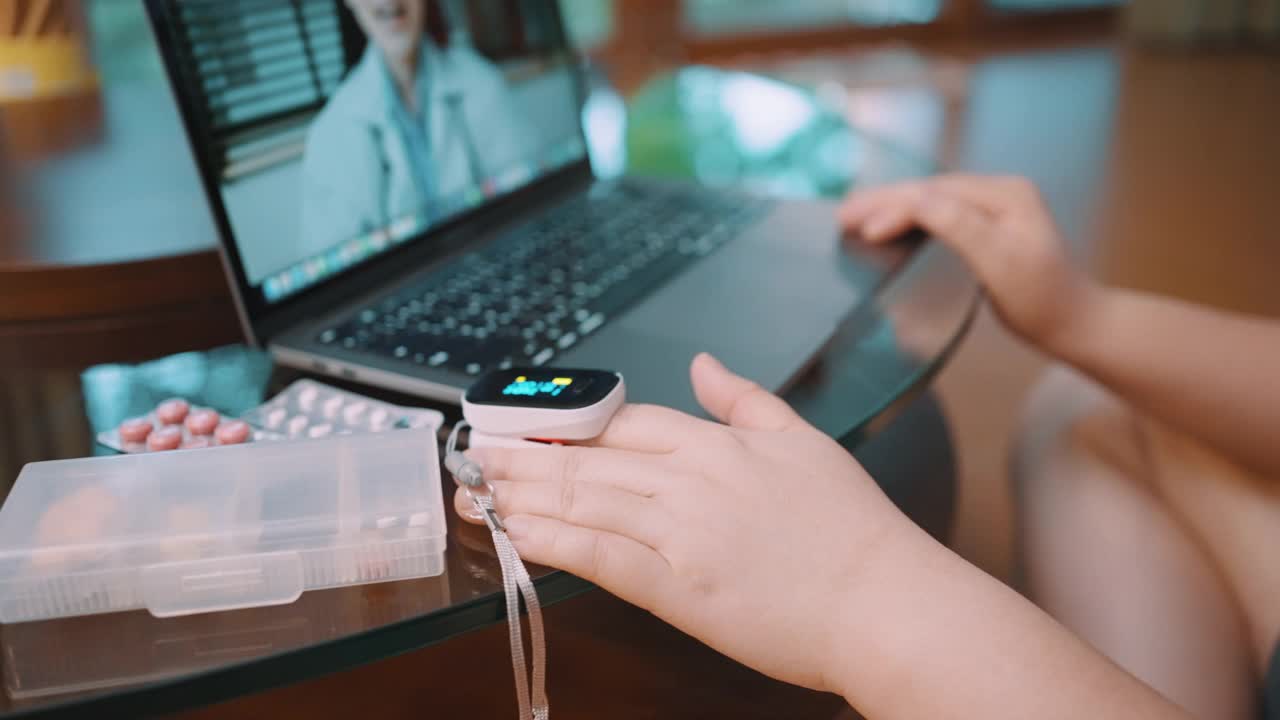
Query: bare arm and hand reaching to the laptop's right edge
[(1213, 375)]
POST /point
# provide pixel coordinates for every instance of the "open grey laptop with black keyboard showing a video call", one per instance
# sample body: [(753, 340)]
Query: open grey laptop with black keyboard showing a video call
[(405, 200)]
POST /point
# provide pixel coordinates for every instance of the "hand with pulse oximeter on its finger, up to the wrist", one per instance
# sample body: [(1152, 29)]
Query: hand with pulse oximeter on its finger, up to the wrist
[(751, 536)]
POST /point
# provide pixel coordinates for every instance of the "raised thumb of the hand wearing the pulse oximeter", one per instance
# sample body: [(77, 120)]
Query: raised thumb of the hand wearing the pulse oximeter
[(738, 402)]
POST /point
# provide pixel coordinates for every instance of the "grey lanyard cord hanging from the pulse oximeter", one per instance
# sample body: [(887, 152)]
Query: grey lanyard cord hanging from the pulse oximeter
[(515, 584)]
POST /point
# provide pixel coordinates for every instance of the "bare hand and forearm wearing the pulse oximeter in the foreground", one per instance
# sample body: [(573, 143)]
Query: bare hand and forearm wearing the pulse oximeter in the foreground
[(766, 540)]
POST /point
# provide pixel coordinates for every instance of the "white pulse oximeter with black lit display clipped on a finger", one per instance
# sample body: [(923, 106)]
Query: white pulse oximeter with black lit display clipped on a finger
[(545, 404)]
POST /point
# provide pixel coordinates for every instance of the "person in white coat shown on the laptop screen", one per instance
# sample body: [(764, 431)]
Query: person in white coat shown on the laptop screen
[(412, 125)]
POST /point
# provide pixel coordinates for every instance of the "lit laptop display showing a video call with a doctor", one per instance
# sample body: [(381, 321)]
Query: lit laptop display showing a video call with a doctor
[(337, 130)]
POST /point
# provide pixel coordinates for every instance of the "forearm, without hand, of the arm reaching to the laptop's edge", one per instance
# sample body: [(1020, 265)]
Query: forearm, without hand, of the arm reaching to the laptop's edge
[(1212, 375)]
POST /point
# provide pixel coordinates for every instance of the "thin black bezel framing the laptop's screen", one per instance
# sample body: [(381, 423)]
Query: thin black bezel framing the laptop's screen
[(263, 320)]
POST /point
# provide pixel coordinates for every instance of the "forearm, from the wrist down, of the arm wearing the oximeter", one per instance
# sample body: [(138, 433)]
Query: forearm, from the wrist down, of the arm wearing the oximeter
[(931, 636)]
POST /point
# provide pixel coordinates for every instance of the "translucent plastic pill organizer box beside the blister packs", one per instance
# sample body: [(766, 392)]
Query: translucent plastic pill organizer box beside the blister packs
[(234, 527)]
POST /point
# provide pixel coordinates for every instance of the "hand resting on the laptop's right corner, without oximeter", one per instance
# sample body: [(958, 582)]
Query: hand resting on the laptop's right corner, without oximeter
[(1004, 233)]
